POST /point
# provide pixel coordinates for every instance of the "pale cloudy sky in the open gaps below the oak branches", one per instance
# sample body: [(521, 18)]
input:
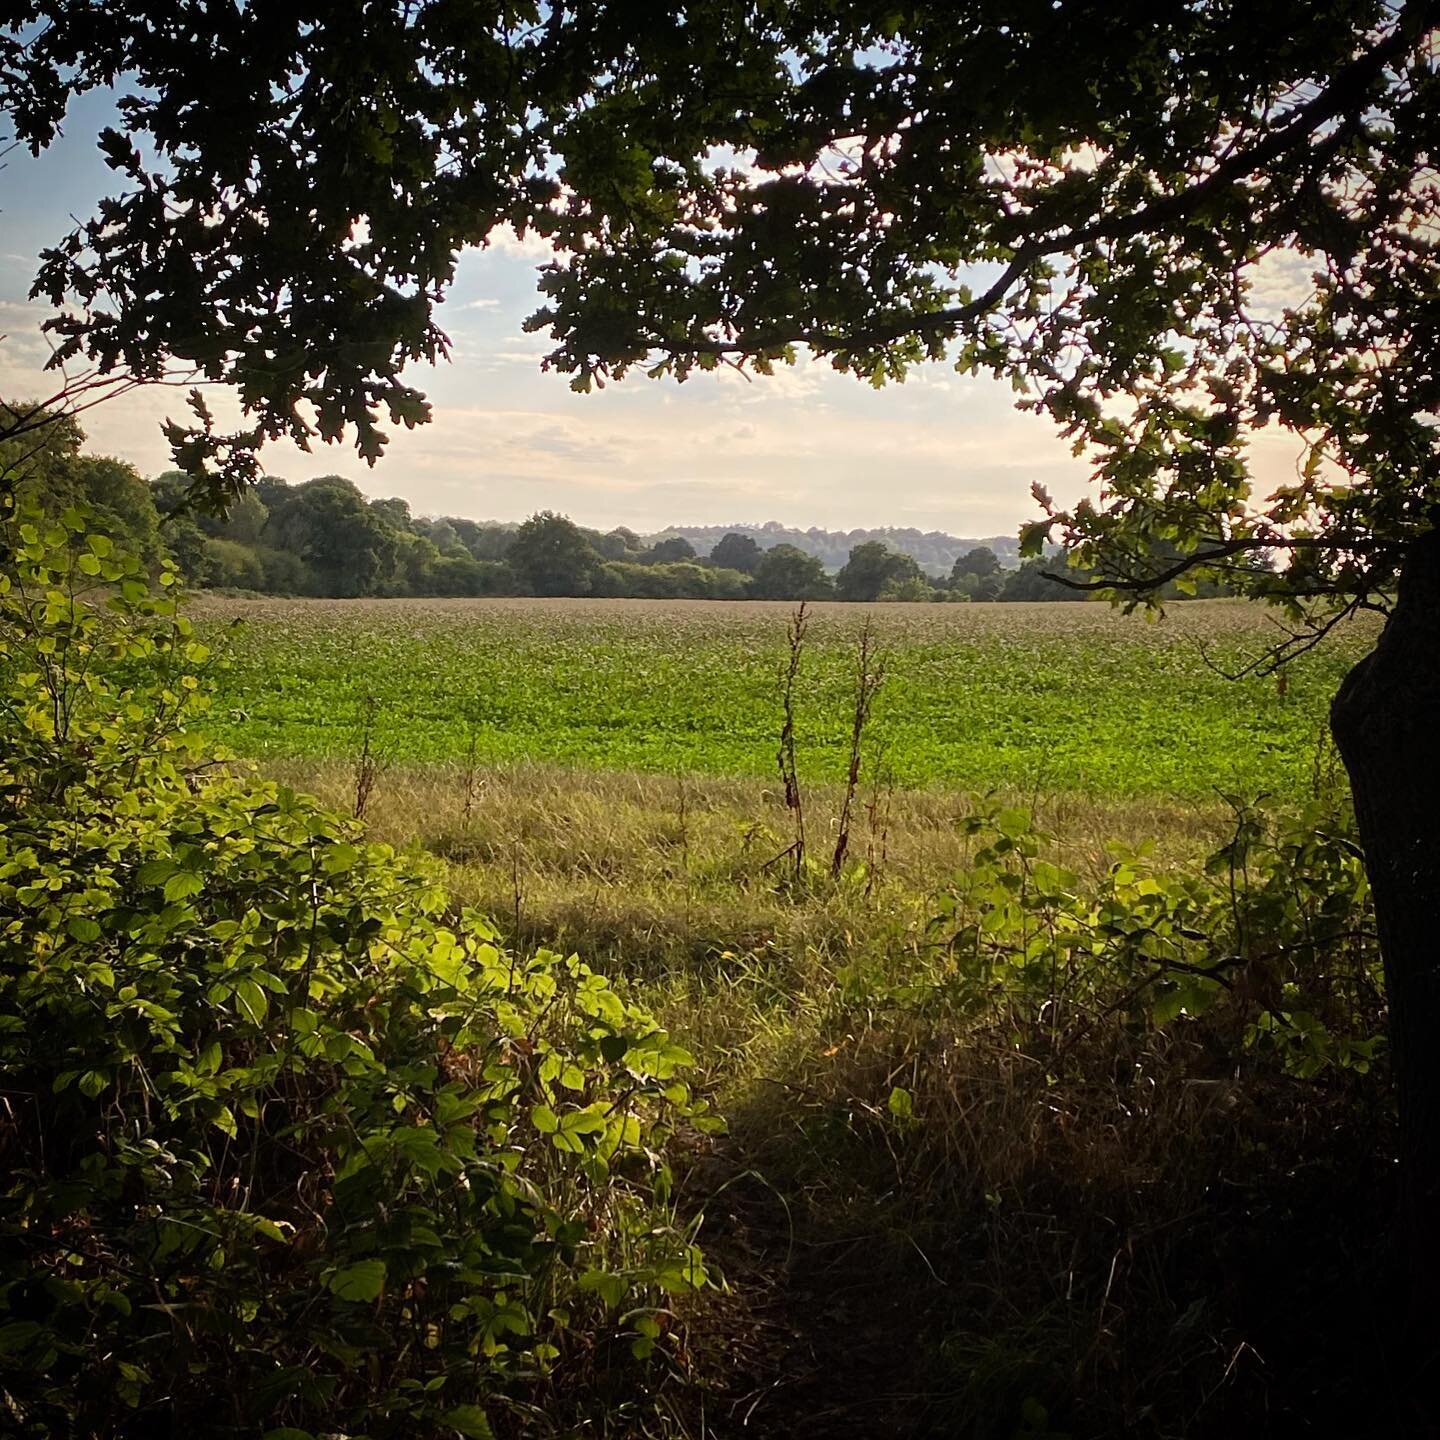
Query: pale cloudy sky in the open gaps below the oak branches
[(806, 447)]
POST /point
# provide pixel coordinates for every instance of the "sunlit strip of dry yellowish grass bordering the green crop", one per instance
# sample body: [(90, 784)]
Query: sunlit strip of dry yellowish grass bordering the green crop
[(656, 873)]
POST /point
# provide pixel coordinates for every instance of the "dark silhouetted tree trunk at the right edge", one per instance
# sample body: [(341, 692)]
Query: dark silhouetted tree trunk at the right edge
[(1386, 721)]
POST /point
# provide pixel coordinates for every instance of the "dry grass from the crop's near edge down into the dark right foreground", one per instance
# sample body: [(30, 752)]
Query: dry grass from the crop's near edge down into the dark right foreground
[(1146, 1233)]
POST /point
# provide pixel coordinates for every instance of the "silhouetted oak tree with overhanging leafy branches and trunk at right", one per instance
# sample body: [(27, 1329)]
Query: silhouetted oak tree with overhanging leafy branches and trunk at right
[(1207, 222)]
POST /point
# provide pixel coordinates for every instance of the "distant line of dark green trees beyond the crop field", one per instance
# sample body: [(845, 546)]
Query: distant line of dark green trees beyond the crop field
[(325, 538)]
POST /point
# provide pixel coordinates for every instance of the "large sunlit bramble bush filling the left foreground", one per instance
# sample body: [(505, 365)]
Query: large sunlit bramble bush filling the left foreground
[(287, 1147)]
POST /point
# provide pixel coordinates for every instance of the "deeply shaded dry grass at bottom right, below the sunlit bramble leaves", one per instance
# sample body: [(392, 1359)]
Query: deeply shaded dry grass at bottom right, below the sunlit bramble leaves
[(1036, 1258)]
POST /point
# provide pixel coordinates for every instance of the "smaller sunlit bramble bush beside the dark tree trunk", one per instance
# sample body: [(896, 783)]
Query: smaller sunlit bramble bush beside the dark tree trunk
[(1274, 937)]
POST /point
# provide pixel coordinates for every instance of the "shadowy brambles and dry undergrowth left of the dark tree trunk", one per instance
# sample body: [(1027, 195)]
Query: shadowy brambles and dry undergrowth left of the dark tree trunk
[(1107, 1158)]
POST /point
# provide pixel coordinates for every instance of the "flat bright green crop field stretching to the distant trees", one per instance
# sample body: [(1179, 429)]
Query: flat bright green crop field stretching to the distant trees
[(1052, 698)]
